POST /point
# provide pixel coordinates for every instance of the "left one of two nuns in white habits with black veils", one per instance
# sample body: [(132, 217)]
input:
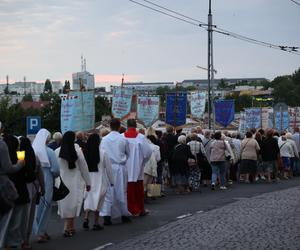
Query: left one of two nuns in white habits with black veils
[(75, 175)]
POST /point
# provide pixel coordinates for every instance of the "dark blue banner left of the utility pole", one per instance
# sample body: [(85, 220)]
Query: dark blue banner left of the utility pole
[(176, 109)]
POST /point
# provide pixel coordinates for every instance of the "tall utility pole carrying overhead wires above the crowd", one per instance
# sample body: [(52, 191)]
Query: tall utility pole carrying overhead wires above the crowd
[(209, 63)]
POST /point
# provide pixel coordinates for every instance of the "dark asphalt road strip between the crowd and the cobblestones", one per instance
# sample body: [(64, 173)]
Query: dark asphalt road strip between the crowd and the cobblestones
[(162, 212)]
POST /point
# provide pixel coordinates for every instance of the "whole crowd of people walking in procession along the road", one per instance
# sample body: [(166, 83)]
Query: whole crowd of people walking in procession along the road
[(107, 173)]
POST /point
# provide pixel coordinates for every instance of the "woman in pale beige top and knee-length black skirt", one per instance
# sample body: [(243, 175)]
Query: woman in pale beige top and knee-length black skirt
[(249, 151)]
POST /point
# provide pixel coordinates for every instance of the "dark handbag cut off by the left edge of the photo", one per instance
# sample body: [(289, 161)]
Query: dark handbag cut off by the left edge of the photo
[(8, 194)]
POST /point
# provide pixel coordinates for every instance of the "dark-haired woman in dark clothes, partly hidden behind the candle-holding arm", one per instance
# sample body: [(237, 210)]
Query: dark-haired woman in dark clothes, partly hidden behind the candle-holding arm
[(17, 226)]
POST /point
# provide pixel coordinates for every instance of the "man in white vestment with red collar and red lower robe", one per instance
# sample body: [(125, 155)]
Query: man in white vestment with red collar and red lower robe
[(139, 153)]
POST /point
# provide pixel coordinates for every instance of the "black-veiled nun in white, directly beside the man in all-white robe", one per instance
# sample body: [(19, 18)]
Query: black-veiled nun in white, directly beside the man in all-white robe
[(101, 178)]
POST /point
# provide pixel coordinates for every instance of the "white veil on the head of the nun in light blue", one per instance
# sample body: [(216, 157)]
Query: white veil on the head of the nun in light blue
[(39, 147)]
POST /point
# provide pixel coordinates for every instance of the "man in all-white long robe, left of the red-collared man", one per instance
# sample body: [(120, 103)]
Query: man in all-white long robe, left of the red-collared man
[(115, 203)]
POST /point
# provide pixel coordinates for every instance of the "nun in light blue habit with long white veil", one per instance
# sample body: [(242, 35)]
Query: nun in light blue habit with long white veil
[(50, 169)]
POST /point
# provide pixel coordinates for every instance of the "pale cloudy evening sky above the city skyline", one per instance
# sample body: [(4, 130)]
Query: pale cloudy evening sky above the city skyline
[(45, 39)]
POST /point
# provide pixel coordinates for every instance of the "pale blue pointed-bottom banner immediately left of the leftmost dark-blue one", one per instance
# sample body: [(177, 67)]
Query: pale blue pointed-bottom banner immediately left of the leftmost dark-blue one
[(148, 109)]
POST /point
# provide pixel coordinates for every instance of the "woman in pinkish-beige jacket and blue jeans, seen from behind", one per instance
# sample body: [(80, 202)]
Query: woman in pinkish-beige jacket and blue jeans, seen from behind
[(218, 160)]
